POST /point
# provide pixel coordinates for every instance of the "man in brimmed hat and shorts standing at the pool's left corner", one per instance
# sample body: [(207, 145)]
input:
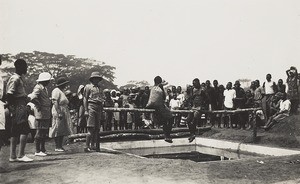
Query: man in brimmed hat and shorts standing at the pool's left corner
[(93, 105)]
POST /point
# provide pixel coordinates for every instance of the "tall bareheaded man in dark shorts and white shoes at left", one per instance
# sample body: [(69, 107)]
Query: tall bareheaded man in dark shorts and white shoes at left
[(17, 100)]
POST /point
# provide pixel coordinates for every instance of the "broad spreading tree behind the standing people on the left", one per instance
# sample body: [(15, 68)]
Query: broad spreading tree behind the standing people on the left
[(77, 70)]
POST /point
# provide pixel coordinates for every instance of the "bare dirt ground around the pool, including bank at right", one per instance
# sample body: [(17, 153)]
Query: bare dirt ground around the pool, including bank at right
[(75, 166)]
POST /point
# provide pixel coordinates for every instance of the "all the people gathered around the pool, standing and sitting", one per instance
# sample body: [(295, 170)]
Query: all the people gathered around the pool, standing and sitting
[(63, 113)]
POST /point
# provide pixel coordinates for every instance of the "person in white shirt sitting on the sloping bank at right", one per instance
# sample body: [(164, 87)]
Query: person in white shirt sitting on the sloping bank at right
[(285, 107)]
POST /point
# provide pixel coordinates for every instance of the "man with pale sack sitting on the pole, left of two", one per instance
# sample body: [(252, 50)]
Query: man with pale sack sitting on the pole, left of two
[(162, 113)]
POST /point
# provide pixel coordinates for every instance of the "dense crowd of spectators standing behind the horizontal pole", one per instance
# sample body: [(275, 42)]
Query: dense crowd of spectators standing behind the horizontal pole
[(206, 97)]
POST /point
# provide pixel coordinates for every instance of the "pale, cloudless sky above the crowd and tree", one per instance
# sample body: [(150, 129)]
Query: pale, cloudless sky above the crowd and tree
[(177, 39)]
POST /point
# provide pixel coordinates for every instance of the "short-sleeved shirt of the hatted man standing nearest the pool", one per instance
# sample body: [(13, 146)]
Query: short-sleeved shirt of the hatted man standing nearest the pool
[(93, 94)]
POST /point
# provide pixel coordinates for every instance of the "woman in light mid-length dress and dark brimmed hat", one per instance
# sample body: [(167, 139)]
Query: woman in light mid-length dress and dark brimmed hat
[(60, 114)]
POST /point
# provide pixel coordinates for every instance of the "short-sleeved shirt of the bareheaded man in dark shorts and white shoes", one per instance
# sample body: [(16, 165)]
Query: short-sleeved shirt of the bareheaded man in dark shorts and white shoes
[(16, 86)]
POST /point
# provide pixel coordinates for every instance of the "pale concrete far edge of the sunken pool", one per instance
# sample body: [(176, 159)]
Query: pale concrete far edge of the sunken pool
[(199, 141)]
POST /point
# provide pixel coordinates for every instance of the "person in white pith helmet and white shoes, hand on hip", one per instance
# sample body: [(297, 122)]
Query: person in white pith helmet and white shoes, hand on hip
[(40, 98)]
